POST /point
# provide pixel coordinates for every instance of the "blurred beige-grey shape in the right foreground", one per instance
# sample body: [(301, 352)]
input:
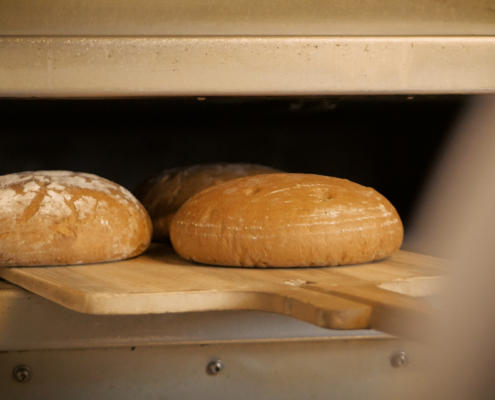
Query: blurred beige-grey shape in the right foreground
[(458, 216)]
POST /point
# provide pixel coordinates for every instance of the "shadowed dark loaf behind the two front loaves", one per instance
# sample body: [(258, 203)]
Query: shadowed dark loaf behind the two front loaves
[(164, 194)]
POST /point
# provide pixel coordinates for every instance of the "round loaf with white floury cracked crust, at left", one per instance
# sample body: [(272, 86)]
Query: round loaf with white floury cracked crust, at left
[(62, 217)]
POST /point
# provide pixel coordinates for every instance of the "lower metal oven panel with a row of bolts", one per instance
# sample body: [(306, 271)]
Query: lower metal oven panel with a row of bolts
[(338, 369)]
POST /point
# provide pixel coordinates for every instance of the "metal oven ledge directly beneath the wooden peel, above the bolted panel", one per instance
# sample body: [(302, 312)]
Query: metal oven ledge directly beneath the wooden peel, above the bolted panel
[(30, 322)]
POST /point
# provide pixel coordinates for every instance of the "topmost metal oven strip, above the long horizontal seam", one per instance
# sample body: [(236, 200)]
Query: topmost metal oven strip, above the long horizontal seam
[(247, 17)]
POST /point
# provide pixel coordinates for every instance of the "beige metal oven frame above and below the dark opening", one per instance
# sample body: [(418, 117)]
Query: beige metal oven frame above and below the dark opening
[(104, 48)]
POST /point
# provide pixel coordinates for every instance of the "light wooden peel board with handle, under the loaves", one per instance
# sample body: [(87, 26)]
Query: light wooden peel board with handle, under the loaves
[(349, 297)]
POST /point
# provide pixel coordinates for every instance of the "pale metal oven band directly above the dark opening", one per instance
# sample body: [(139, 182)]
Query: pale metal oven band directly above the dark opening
[(214, 66)]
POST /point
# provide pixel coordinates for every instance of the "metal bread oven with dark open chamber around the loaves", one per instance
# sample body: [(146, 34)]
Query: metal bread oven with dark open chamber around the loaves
[(125, 90)]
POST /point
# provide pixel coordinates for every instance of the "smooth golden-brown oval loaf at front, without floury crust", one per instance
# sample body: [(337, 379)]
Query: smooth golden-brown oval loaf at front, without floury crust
[(286, 220)]
